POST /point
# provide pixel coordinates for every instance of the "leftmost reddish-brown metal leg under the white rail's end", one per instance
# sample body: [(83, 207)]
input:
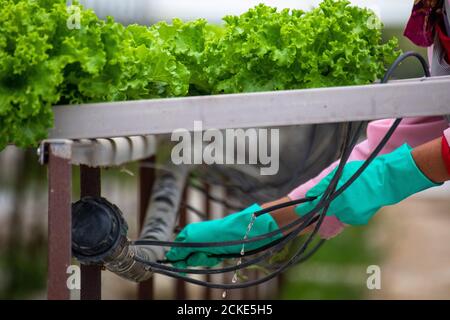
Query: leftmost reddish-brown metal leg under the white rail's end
[(59, 220)]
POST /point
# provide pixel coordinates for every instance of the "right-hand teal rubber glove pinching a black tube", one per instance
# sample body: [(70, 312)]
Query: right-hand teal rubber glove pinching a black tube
[(389, 179)]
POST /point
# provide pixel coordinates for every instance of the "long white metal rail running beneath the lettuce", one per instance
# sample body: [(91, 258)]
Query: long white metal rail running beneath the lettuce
[(420, 97)]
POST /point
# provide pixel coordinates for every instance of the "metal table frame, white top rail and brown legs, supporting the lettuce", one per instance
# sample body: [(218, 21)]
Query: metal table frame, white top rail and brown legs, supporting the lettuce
[(406, 98)]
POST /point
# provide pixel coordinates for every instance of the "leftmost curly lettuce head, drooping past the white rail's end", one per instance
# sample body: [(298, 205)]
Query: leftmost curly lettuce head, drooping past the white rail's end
[(29, 77)]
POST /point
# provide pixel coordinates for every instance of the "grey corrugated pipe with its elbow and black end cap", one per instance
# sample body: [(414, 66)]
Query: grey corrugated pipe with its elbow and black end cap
[(99, 232)]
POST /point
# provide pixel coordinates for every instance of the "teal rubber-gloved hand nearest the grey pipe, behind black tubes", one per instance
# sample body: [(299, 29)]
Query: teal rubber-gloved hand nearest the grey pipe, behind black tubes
[(230, 228)]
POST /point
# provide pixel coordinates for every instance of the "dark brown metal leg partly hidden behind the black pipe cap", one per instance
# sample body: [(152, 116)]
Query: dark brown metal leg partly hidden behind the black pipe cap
[(91, 283)]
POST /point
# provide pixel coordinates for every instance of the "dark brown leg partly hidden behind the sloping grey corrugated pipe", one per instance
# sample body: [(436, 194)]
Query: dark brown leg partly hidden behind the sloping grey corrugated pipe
[(146, 179)]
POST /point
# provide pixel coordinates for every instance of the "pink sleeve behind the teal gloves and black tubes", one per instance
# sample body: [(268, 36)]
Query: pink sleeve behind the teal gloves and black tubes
[(414, 131)]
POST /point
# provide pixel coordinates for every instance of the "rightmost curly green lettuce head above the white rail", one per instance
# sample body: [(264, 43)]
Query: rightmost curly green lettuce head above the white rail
[(332, 45)]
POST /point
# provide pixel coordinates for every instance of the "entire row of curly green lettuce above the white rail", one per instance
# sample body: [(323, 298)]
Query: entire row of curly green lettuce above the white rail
[(44, 63)]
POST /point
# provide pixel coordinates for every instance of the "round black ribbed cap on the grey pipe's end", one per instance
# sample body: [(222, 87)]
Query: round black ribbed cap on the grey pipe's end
[(96, 226)]
